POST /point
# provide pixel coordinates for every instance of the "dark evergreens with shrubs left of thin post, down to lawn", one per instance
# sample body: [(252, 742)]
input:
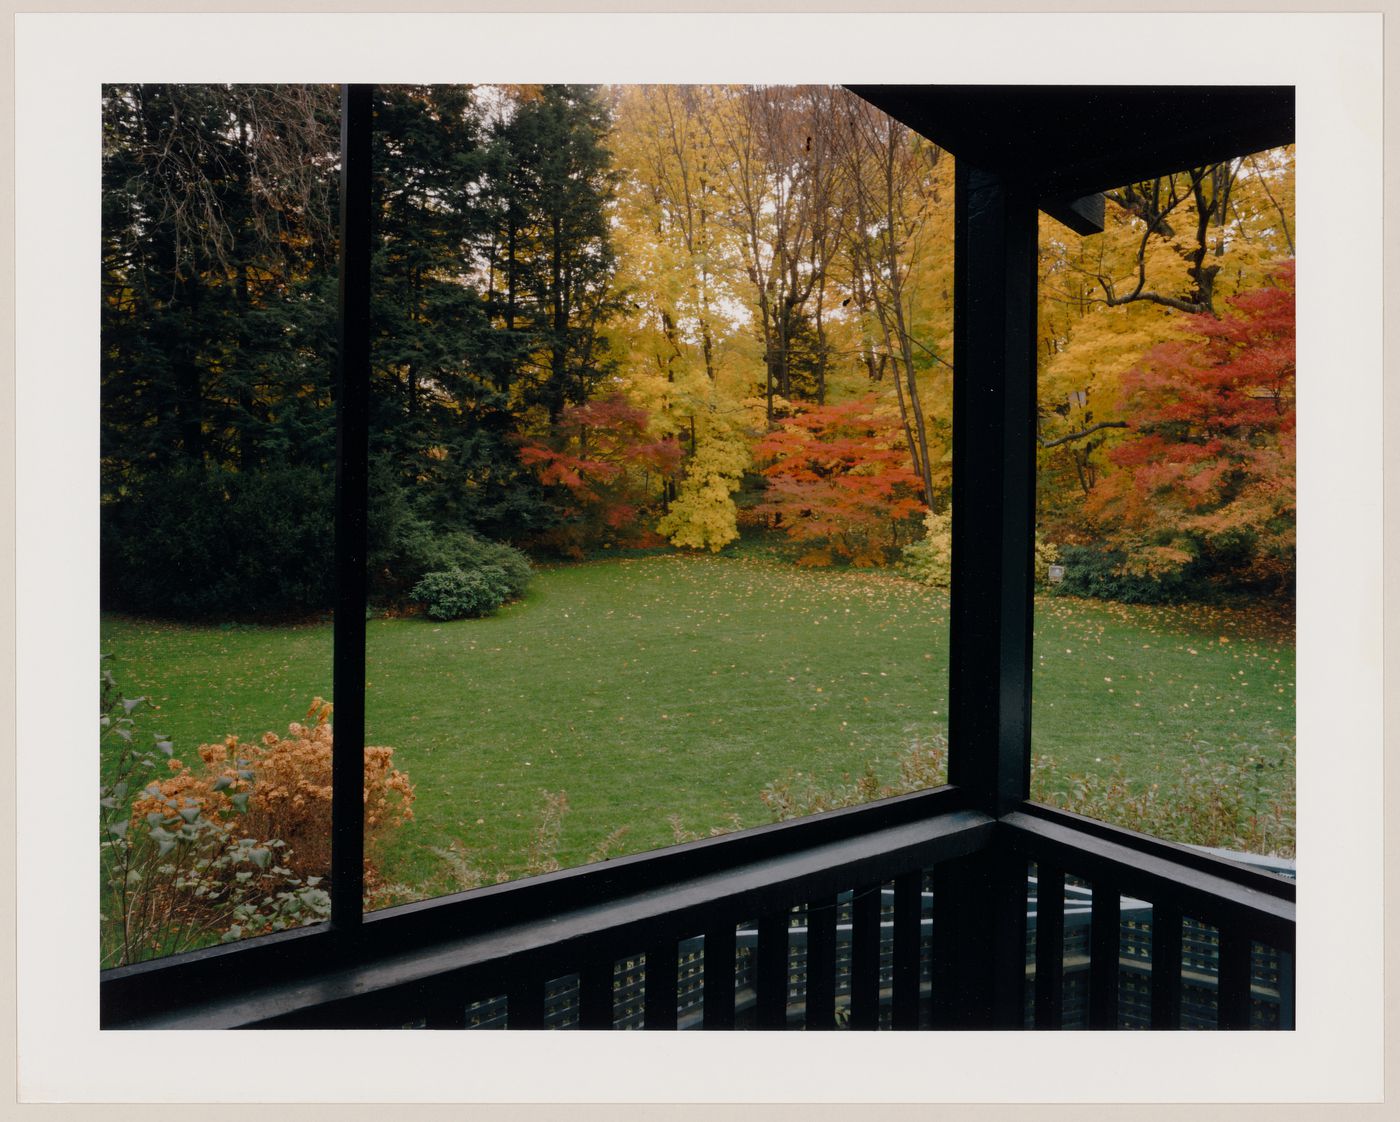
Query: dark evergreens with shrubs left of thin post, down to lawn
[(216, 347)]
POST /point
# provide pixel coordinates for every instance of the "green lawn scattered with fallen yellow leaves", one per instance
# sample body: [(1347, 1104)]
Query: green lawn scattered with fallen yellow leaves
[(664, 693)]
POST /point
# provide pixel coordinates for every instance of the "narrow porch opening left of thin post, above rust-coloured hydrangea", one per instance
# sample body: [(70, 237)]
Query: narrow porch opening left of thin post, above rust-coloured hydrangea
[(216, 512)]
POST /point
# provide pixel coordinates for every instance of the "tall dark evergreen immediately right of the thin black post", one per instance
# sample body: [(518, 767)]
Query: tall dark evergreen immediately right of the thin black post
[(446, 424)]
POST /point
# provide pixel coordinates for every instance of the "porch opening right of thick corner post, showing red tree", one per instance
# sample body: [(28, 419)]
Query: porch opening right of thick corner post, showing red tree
[(1164, 634)]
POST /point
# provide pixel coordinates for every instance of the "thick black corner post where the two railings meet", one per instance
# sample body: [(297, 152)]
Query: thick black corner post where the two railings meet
[(993, 511)]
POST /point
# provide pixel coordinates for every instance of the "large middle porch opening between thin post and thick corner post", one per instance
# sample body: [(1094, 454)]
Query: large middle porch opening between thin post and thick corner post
[(645, 473)]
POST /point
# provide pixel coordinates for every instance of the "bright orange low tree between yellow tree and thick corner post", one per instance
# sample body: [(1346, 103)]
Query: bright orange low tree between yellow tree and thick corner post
[(841, 477)]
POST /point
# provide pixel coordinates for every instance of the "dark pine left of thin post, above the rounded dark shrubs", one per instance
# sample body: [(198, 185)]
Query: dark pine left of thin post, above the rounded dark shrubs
[(216, 223)]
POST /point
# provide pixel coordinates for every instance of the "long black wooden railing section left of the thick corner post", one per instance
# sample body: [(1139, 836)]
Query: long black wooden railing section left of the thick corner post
[(430, 962)]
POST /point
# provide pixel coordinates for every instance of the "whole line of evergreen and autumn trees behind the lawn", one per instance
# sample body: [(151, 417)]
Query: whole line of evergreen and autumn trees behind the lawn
[(635, 314)]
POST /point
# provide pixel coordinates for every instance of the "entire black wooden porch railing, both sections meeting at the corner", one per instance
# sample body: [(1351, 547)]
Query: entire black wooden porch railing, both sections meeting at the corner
[(863, 918)]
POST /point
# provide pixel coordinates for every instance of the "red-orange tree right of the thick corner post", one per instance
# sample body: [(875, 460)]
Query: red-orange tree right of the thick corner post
[(1209, 471)]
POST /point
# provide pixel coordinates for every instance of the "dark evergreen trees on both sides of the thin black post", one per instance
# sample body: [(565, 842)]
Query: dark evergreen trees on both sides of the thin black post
[(493, 278)]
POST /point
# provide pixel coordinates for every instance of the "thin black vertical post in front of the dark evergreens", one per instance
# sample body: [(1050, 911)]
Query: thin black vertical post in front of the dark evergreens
[(352, 501)]
